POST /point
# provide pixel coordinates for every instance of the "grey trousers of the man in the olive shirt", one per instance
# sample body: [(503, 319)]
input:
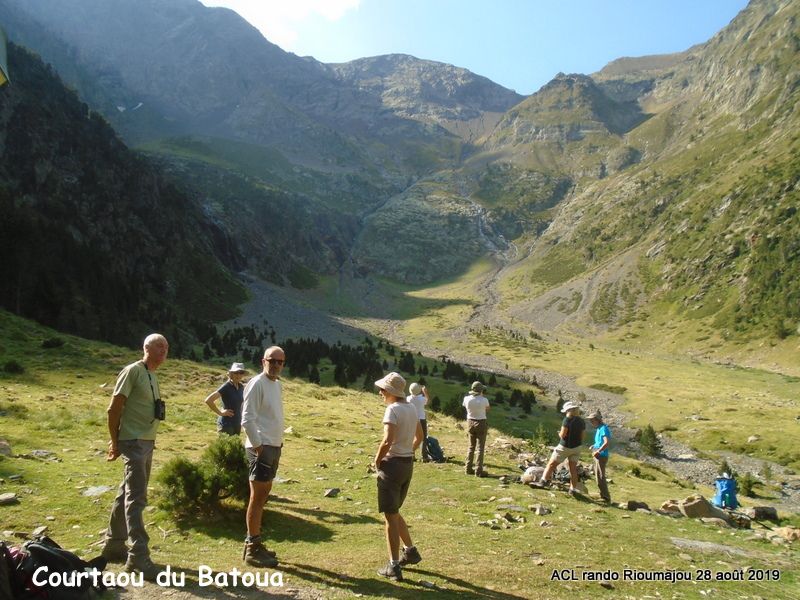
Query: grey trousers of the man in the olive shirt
[(127, 512)]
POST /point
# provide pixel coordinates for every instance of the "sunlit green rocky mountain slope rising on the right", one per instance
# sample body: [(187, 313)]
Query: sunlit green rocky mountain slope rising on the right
[(705, 227)]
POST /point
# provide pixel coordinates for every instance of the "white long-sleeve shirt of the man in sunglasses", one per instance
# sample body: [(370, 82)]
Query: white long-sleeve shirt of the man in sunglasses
[(262, 412)]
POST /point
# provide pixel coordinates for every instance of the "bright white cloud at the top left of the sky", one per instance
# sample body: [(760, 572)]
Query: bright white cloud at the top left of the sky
[(278, 20)]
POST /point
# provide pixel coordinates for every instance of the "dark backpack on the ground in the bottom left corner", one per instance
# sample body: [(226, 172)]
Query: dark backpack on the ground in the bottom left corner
[(44, 552)]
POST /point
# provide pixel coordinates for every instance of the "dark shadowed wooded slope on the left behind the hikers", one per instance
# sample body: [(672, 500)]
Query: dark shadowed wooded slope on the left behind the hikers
[(94, 239)]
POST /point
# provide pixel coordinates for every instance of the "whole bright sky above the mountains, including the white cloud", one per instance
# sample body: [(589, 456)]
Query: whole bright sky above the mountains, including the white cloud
[(520, 44)]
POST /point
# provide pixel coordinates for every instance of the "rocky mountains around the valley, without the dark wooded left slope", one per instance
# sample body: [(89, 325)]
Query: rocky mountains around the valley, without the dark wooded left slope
[(657, 182)]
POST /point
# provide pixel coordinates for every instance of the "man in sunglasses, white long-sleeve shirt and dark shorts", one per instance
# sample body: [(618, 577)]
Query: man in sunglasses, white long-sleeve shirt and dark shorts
[(262, 421)]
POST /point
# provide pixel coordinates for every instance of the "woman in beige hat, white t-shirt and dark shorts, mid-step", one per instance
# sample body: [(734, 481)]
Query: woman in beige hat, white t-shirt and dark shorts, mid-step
[(394, 463)]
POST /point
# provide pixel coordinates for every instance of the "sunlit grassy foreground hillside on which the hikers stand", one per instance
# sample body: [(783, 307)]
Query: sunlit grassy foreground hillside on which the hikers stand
[(334, 545)]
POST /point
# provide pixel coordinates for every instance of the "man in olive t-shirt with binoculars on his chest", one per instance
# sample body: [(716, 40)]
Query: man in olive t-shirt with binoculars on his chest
[(133, 418)]
